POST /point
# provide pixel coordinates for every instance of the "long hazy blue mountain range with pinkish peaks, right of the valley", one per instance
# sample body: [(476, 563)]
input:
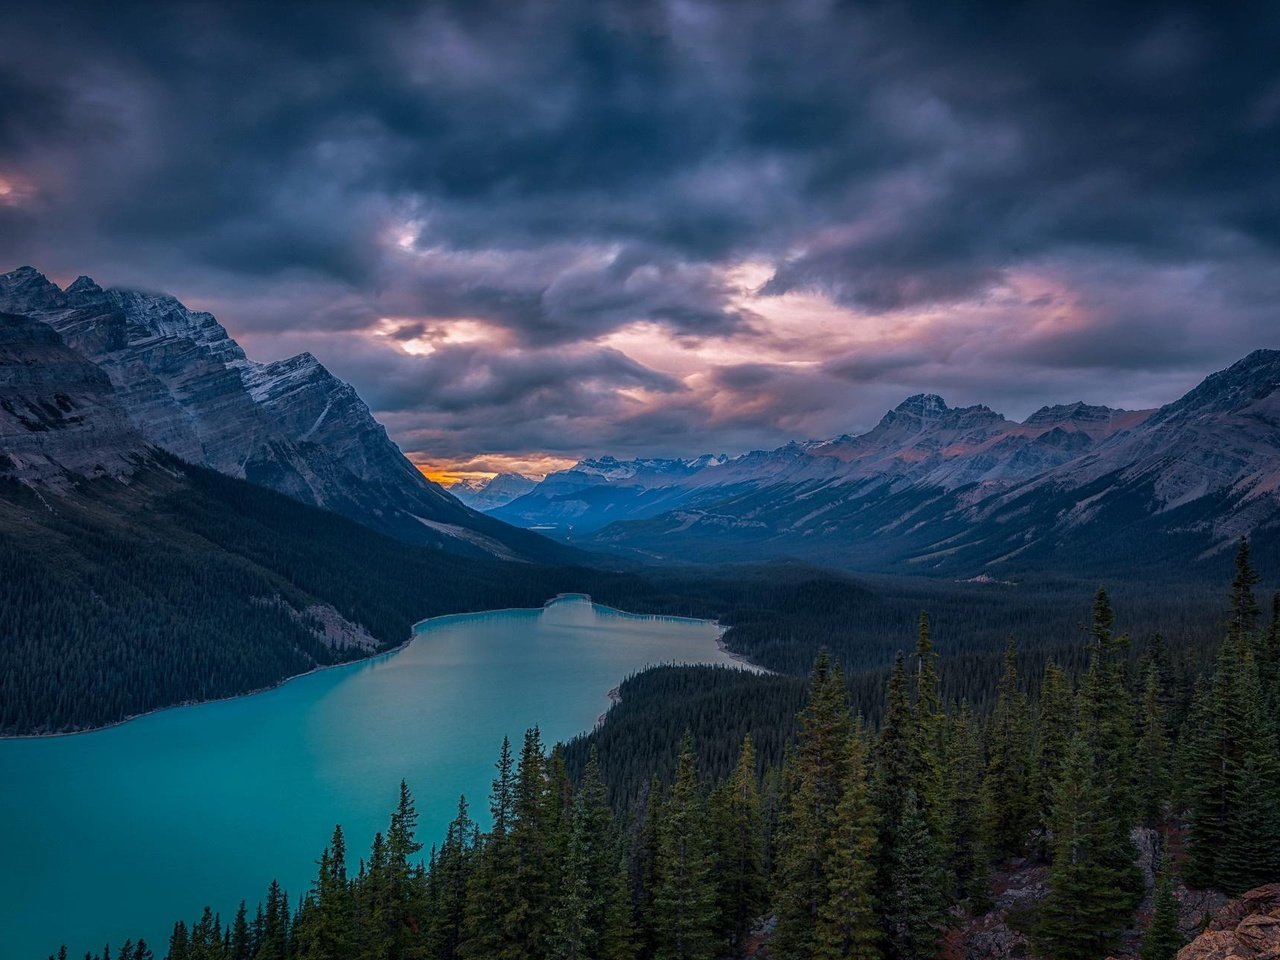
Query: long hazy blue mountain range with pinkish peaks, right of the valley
[(954, 491)]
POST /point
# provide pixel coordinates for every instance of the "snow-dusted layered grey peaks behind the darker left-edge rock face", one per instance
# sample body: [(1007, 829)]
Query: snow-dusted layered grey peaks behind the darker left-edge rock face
[(290, 426)]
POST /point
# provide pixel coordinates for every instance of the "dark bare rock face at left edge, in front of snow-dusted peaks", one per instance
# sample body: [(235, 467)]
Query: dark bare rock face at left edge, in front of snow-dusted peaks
[(60, 417)]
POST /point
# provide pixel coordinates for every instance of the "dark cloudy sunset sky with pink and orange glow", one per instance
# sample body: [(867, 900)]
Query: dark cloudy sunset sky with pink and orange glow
[(531, 232)]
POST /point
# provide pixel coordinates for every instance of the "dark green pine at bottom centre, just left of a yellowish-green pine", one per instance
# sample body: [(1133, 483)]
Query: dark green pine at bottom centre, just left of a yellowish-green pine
[(685, 895)]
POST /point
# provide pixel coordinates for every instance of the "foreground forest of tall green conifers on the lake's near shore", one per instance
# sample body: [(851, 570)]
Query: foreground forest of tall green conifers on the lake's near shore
[(833, 820)]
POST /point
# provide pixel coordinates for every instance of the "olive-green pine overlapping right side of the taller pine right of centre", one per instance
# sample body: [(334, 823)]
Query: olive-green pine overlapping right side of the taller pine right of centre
[(848, 921)]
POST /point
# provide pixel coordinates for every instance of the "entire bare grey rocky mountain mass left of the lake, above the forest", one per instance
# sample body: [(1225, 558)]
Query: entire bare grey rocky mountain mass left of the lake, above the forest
[(156, 374)]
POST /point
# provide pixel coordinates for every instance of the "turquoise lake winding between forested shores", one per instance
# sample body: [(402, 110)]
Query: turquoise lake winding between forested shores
[(120, 833)]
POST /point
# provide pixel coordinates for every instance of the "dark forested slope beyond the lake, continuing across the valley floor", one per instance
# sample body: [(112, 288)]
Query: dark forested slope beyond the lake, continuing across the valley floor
[(188, 586)]
